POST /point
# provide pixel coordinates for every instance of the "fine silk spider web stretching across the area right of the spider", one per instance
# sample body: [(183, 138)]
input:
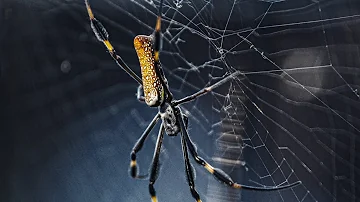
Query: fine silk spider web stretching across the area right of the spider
[(292, 113)]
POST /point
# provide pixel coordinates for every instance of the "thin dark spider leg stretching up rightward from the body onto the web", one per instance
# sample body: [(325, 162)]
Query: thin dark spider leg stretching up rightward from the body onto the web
[(206, 90)]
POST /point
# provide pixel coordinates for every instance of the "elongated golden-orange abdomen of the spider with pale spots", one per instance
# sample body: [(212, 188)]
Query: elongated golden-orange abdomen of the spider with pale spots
[(153, 89)]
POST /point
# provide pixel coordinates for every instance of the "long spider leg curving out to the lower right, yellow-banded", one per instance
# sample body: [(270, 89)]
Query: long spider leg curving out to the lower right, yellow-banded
[(218, 173)]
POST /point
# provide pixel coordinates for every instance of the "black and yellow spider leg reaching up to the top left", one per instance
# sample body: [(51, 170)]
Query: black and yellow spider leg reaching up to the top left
[(103, 36)]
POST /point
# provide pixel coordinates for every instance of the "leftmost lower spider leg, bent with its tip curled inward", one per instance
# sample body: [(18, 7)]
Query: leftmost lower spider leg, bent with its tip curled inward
[(137, 147)]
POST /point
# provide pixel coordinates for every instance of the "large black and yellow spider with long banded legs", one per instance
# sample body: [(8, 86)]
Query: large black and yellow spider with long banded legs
[(156, 93)]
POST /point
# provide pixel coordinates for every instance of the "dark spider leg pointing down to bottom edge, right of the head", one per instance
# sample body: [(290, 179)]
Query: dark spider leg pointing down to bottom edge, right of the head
[(188, 168)]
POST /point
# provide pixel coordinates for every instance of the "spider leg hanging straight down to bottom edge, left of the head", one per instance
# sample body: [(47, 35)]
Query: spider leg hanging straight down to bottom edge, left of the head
[(155, 164)]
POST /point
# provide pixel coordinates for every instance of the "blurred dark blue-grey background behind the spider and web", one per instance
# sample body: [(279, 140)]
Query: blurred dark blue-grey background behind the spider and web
[(69, 116)]
